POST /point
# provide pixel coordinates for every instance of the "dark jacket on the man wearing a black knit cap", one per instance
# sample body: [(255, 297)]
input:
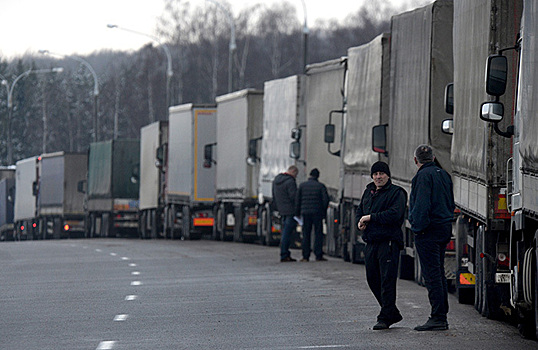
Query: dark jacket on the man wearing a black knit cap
[(386, 208)]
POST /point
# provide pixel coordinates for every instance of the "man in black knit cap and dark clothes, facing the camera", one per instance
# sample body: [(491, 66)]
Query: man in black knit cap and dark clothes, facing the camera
[(380, 216)]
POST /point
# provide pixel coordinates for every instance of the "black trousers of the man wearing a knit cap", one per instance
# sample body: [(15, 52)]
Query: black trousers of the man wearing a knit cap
[(381, 260)]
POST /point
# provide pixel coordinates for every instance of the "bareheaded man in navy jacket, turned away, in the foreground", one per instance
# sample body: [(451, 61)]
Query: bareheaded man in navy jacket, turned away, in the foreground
[(431, 211)]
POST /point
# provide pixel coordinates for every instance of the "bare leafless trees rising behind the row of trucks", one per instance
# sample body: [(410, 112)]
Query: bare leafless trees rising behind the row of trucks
[(60, 112)]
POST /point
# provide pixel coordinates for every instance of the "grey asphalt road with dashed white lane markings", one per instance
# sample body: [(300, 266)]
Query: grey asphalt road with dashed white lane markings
[(133, 294)]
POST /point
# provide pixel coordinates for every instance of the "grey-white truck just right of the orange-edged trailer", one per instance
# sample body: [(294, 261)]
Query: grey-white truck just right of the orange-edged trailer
[(239, 120)]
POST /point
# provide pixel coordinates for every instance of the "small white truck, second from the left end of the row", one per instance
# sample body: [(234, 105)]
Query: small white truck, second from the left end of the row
[(25, 202)]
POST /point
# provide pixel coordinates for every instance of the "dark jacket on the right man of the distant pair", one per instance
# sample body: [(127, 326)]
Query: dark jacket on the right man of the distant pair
[(312, 198)]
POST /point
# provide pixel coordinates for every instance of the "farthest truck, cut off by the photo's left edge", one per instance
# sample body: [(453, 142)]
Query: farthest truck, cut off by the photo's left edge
[(7, 201)]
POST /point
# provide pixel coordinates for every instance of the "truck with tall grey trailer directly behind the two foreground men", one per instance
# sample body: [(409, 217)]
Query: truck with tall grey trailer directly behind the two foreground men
[(421, 65)]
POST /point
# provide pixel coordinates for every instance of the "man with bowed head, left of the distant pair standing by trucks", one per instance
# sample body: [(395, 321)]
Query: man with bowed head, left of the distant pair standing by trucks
[(284, 192)]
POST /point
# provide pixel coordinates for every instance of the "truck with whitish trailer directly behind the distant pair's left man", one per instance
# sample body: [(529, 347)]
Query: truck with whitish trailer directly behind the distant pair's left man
[(284, 113)]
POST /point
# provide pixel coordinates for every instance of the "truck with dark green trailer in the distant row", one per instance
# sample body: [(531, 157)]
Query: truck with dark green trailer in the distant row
[(112, 188)]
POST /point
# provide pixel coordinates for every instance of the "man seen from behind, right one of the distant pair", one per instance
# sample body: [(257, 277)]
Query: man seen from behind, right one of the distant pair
[(312, 202)]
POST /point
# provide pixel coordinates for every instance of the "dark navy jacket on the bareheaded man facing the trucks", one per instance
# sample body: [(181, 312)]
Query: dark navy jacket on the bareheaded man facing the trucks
[(431, 202)]
